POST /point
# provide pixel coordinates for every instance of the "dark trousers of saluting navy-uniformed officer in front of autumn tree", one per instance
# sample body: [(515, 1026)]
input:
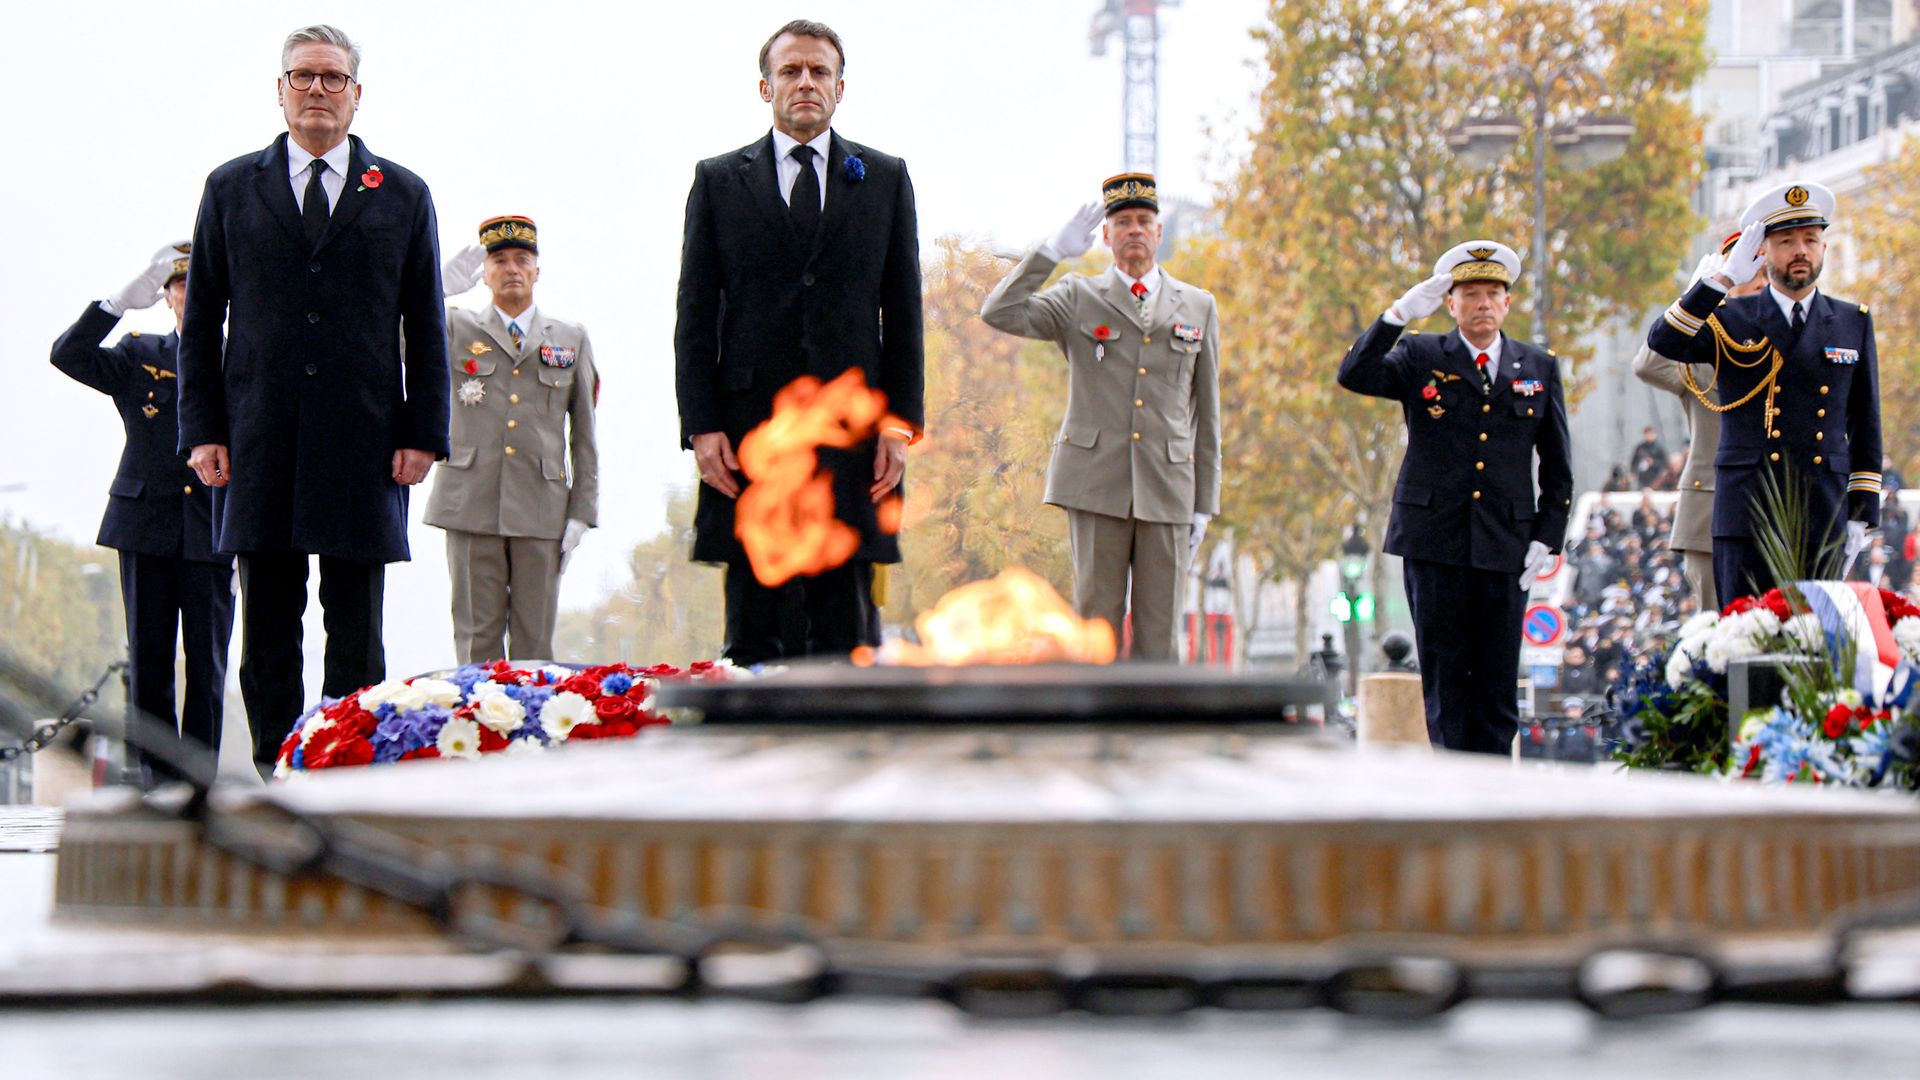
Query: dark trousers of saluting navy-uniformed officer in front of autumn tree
[(1468, 631)]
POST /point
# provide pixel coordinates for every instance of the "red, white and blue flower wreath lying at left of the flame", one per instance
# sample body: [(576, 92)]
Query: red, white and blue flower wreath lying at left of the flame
[(483, 710)]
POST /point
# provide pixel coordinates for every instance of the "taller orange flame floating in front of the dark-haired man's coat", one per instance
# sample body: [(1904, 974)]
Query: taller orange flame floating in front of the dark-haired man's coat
[(784, 520)]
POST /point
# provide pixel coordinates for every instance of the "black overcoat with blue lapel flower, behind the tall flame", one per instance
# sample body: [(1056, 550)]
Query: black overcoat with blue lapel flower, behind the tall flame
[(763, 307)]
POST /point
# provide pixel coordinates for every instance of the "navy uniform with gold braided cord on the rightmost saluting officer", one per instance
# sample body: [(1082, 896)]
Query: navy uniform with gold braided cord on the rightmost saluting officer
[(1815, 422)]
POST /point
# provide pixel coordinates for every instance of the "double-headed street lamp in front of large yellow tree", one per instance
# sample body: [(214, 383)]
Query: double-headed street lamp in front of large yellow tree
[(1587, 143)]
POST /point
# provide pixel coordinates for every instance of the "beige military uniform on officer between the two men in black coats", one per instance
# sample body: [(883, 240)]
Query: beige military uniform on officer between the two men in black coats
[(521, 416)]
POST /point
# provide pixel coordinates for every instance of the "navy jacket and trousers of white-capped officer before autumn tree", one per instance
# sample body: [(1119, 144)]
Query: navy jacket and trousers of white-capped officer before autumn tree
[(1466, 512)]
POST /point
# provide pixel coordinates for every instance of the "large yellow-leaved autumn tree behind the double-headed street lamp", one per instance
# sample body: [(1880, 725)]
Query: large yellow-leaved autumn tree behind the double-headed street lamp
[(1349, 193)]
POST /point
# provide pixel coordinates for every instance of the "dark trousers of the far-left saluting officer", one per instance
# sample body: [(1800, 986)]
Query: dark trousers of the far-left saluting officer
[(166, 597)]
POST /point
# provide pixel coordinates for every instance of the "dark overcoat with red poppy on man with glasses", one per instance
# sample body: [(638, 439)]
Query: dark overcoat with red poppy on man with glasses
[(335, 356)]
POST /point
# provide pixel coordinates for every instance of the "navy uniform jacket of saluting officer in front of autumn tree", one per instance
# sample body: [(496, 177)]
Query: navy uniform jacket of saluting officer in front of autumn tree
[(1466, 491)]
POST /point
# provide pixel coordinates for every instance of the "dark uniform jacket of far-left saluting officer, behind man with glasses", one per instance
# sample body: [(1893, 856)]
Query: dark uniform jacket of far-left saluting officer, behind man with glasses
[(156, 506)]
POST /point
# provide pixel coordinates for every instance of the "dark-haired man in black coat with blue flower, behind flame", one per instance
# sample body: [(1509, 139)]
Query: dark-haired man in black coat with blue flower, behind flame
[(802, 258)]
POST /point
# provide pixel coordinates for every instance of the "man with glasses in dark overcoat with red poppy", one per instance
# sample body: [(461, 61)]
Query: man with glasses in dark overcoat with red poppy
[(324, 260)]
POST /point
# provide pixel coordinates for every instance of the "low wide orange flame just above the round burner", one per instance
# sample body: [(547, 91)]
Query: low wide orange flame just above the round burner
[(1015, 618)]
